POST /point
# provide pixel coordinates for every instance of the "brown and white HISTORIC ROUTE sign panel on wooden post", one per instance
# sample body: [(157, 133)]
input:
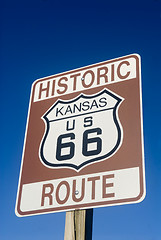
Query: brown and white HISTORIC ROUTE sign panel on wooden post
[(84, 140)]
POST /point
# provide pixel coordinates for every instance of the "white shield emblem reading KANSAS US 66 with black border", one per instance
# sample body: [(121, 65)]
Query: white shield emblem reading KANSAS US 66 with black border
[(81, 131)]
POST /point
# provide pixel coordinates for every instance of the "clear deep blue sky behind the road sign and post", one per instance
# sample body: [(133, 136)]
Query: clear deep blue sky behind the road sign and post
[(44, 37)]
